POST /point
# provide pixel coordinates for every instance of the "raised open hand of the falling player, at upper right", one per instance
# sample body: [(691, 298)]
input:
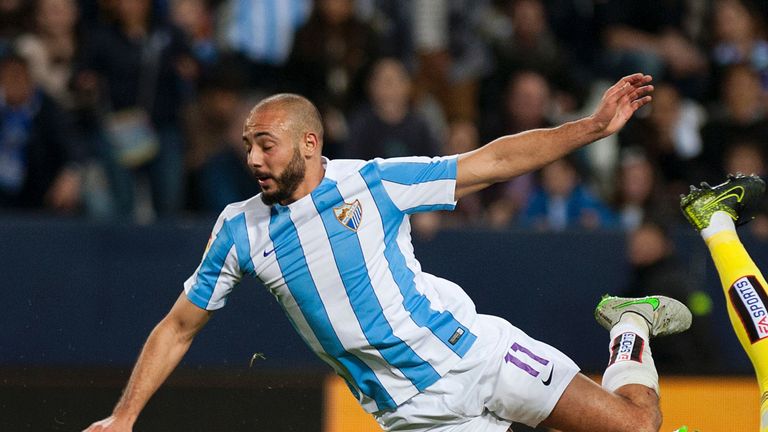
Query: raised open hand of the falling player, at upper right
[(620, 101)]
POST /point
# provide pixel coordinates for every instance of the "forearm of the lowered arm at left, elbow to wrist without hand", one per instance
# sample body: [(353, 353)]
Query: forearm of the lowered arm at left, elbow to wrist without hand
[(161, 354)]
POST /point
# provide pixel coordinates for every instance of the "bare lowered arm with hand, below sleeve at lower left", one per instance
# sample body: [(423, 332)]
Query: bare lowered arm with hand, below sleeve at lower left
[(165, 347)]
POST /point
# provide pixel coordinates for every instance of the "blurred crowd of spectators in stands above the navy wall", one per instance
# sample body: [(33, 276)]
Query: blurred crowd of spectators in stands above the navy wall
[(133, 109)]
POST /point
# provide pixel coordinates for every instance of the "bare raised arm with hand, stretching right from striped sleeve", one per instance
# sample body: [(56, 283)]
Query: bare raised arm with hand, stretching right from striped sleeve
[(512, 155)]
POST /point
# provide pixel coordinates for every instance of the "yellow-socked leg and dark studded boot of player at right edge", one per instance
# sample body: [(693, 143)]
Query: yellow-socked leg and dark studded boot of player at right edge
[(715, 212)]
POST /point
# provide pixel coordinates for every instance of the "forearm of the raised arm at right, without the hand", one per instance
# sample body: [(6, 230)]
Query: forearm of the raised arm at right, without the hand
[(527, 151)]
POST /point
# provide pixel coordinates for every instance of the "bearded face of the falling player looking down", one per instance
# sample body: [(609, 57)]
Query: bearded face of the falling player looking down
[(274, 155)]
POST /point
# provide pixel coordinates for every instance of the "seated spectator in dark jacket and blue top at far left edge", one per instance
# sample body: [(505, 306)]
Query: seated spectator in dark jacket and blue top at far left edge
[(39, 159)]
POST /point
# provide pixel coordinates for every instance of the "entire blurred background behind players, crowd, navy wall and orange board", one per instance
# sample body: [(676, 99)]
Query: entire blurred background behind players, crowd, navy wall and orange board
[(120, 126)]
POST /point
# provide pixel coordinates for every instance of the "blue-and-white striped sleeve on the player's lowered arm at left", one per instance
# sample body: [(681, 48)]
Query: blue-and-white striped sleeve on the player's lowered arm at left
[(218, 273)]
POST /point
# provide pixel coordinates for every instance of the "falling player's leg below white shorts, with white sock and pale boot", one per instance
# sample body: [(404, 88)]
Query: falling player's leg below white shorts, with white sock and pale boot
[(628, 399)]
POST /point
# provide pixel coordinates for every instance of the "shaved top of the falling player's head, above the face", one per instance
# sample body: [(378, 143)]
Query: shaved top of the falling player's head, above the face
[(301, 114)]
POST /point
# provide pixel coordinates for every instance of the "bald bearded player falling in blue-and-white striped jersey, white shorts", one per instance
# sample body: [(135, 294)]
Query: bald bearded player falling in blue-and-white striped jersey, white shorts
[(331, 240)]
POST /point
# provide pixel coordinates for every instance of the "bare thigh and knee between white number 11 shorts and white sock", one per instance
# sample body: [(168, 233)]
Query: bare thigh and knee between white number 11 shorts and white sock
[(587, 407)]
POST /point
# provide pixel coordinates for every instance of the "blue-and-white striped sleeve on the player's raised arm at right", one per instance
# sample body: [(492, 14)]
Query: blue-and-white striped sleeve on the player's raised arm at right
[(420, 184)]
